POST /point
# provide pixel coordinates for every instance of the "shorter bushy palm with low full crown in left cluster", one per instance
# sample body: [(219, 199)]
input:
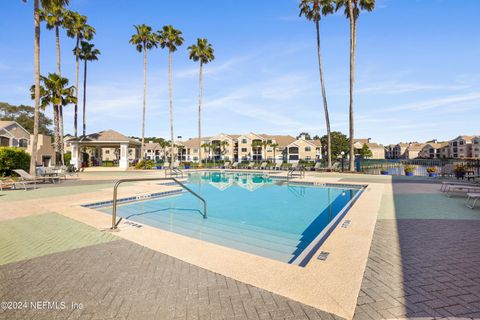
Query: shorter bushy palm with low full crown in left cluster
[(55, 91)]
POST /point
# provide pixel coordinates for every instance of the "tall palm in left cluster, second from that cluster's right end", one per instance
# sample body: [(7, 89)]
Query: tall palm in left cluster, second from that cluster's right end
[(77, 28)]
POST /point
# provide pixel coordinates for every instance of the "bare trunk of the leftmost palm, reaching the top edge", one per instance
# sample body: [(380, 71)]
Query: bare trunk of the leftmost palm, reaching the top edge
[(36, 62)]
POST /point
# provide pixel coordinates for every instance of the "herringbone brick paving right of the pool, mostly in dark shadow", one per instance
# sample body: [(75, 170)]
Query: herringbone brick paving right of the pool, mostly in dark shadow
[(422, 268)]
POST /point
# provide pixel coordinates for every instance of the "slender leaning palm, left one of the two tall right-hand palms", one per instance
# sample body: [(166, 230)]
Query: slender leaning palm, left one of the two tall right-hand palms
[(313, 10)]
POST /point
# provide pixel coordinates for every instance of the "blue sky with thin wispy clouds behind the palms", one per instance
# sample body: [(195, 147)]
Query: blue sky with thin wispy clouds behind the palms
[(417, 71)]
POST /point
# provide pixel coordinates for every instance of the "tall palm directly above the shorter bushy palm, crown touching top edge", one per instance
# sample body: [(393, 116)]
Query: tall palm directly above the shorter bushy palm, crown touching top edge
[(53, 13)]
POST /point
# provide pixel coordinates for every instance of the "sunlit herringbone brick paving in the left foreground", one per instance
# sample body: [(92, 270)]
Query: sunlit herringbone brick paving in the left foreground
[(123, 280)]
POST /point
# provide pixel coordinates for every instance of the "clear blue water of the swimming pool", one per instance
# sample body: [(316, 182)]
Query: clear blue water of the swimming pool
[(248, 212)]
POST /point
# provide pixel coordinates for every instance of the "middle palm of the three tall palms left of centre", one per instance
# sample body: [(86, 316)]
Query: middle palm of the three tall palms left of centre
[(170, 38)]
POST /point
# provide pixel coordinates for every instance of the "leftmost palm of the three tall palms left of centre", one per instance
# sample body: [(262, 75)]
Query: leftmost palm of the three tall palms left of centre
[(144, 39)]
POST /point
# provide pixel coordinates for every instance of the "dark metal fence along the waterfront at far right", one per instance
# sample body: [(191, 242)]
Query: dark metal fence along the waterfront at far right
[(397, 166)]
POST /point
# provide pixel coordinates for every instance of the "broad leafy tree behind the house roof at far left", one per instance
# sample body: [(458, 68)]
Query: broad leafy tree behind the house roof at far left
[(25, 116)]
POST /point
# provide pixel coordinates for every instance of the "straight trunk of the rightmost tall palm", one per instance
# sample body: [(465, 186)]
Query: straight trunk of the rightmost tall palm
[(352, 80)]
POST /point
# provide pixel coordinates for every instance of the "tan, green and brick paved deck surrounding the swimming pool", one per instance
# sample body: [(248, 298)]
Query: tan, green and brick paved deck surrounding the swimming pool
[(408, 252)]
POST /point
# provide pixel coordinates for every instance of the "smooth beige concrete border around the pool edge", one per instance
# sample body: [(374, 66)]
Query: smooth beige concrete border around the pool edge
[(331, 285)]
